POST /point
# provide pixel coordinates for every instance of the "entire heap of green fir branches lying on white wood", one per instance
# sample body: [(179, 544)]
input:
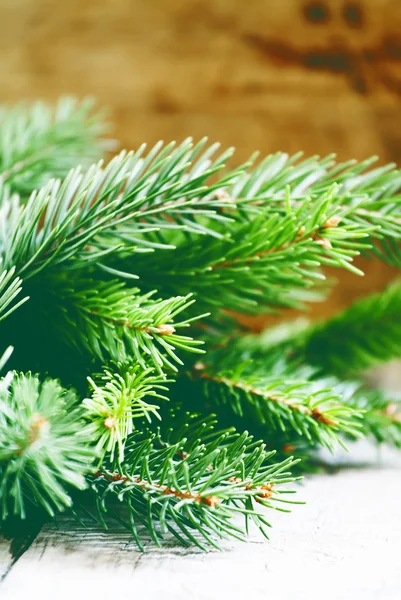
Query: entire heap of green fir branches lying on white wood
[(198, 240)]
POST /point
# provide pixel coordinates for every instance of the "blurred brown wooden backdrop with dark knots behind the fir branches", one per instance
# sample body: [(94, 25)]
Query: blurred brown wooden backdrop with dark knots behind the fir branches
[(322, 75)]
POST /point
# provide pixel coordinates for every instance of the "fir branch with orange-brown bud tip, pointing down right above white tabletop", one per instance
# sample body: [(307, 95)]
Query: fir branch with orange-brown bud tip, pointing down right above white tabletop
[(283, 403)]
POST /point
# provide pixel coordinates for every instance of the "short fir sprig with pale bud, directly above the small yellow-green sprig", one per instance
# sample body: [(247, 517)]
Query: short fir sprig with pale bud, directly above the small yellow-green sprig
[(109, 320)]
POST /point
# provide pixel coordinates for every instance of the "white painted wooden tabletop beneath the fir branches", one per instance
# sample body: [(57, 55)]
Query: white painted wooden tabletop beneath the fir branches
[(345, 544)]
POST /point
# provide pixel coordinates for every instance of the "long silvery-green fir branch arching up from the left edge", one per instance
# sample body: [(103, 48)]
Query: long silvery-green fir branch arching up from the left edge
[(64, 224)]
